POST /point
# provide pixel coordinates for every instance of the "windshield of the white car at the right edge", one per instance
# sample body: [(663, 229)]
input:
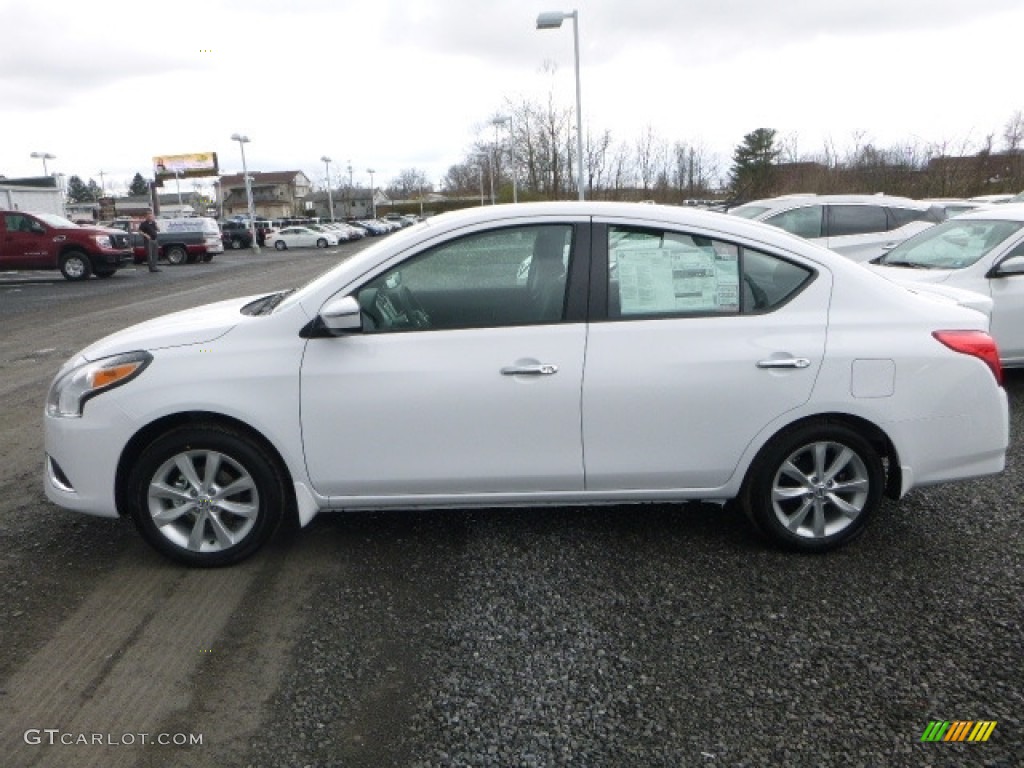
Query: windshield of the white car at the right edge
[(952, 245)]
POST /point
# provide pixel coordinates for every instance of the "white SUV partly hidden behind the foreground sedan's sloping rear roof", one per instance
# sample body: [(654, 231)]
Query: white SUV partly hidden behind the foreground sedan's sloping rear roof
[(860, 227)]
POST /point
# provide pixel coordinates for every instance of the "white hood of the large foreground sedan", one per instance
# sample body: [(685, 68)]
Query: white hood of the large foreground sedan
[(198, 326)]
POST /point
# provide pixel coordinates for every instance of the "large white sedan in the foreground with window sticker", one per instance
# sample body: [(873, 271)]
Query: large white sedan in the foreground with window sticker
[(652, 355)]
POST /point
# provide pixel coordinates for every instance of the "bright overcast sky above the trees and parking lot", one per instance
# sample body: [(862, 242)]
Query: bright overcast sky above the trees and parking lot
[(106, 86)]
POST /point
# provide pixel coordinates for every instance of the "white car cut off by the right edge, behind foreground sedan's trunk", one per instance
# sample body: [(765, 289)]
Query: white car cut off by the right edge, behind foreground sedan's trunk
[(980, 251)]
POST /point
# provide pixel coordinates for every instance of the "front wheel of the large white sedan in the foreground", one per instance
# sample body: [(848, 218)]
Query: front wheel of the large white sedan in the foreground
[(203, 526)]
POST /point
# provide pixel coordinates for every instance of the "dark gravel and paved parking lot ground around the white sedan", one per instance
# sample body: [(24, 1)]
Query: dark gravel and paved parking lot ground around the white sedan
[(618, 636)]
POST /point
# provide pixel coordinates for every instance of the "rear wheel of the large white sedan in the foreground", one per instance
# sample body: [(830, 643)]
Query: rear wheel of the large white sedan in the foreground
[(815, 488)]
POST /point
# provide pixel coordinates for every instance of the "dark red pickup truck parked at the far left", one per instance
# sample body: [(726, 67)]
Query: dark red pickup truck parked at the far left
[(46, 241)]
